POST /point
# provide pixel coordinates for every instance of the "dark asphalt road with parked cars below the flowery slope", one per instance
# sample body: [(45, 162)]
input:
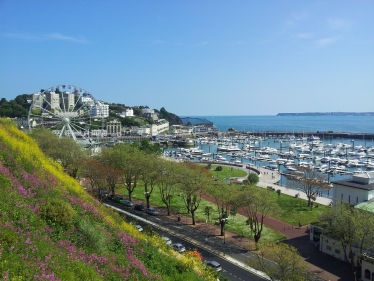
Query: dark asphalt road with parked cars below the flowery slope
[(229, 256)]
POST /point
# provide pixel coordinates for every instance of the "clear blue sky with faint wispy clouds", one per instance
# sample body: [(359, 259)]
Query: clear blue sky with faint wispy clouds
[(194, 57)]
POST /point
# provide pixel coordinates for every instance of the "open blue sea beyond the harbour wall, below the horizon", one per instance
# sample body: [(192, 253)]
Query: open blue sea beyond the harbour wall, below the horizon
[(292, 124)]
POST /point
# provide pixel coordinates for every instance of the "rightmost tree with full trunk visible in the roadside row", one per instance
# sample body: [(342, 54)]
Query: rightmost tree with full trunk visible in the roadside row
[(257, 205)]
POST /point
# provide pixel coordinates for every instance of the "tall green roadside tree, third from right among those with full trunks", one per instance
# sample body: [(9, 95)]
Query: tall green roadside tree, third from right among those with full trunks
[(194, 178)]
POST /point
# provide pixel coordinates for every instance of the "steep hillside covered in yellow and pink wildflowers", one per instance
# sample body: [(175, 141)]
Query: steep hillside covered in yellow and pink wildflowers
[(51, 229)]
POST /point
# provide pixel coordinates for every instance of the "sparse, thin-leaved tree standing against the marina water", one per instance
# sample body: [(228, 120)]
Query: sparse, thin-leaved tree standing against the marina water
[(310, 181)]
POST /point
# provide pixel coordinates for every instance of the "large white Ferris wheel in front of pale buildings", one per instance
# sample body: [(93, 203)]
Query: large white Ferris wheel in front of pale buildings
[(65, 109)]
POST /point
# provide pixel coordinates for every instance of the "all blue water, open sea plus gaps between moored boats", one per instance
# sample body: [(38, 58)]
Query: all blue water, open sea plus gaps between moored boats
[(294, 125)]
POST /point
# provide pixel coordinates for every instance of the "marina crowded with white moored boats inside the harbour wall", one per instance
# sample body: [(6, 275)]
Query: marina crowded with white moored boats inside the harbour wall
[(335, 158)]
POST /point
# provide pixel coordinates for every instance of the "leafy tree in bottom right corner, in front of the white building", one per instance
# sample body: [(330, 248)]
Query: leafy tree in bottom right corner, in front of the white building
[(352, 228)]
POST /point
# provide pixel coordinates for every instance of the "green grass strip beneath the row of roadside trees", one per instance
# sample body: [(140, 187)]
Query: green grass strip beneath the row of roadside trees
[(237, 223)]
